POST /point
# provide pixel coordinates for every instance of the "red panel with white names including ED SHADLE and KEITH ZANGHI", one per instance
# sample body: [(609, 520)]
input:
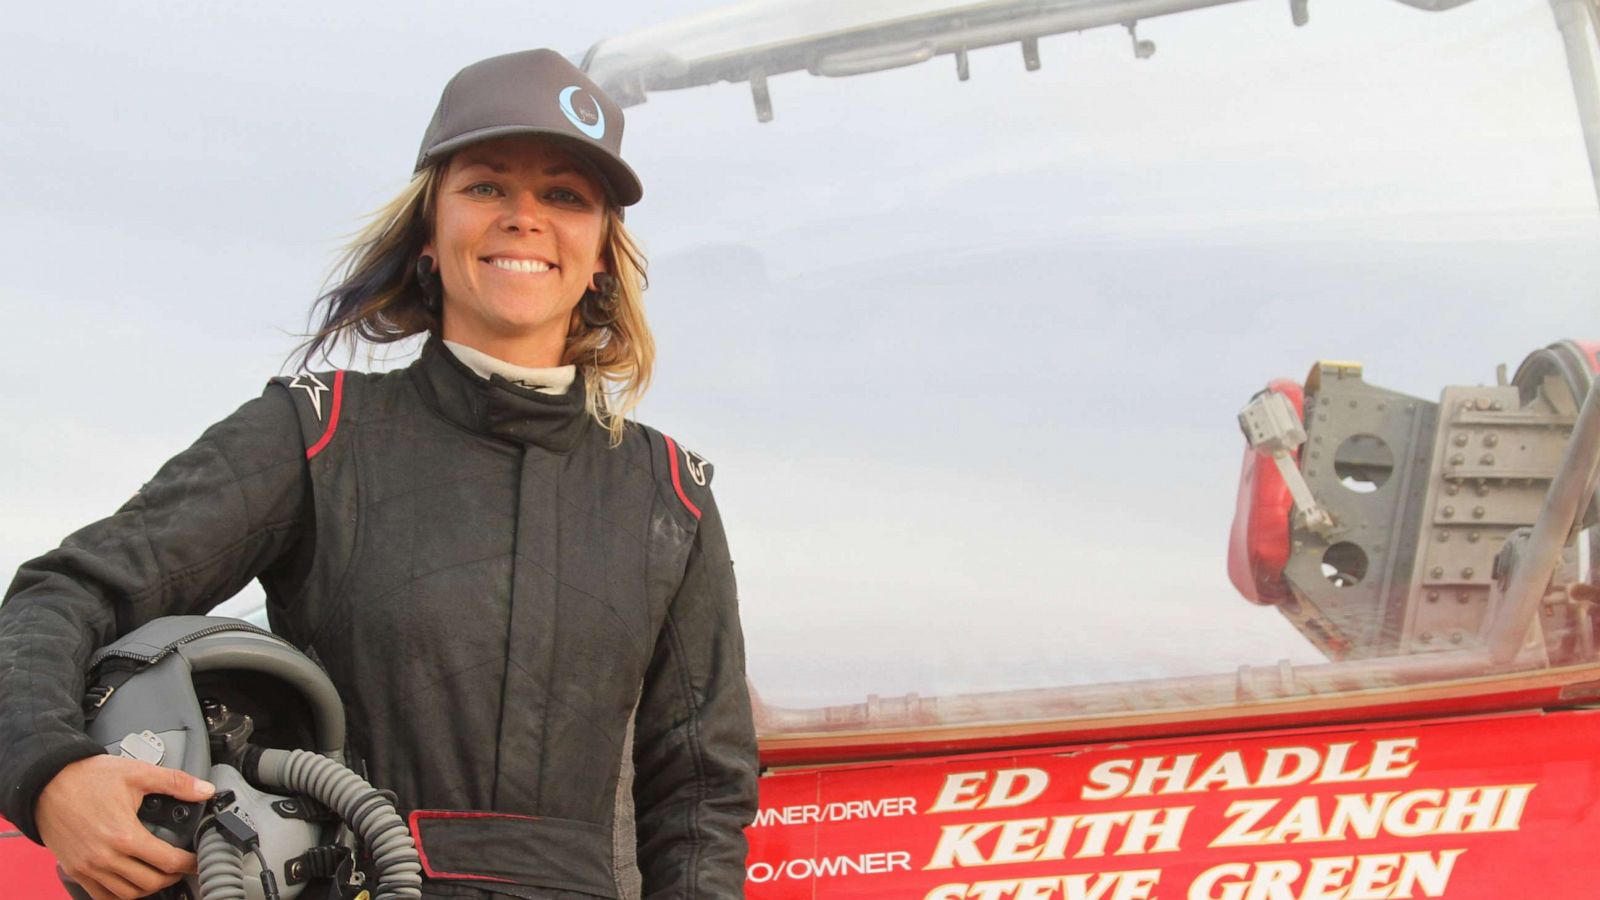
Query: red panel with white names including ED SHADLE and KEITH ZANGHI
[(1494, 806)]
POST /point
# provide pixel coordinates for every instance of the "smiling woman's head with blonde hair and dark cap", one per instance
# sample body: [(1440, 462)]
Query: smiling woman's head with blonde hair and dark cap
[(455, 254)]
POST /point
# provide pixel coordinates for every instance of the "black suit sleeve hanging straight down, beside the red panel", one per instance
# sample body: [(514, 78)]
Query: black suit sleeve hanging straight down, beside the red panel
[(695, 752)]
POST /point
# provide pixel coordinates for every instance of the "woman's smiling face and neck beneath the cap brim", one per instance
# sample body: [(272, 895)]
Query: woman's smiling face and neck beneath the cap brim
[(518, 231)]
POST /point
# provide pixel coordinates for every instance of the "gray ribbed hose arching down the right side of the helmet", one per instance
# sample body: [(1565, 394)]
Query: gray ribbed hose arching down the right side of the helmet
[(370, 814)]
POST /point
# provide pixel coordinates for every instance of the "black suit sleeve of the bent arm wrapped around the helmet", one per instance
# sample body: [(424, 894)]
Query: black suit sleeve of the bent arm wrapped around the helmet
[(212, 520)]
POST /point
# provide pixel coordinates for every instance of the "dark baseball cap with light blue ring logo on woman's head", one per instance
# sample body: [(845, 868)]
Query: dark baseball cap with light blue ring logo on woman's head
[(535, 92)]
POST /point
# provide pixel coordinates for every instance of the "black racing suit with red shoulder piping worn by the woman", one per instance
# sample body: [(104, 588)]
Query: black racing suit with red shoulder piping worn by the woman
[(490, 585)]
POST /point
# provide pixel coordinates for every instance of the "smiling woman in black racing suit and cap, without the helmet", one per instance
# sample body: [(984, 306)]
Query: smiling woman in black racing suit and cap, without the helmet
[(490, 561)]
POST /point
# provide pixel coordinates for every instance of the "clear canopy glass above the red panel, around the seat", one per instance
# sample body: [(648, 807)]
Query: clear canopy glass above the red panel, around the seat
[(967, 342)]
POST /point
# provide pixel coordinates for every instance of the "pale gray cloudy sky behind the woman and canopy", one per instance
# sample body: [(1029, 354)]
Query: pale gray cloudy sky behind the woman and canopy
[(967, 356)]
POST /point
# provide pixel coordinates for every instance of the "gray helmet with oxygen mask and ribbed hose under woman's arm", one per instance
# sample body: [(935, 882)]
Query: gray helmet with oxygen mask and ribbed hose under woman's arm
[(241, 707)]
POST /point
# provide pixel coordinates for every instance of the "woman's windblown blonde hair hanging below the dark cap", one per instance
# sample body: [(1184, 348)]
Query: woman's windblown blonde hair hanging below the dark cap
[(377, 299)]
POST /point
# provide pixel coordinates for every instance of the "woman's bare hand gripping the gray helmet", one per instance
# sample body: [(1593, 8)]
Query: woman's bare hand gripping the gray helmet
[(89, 818)]
